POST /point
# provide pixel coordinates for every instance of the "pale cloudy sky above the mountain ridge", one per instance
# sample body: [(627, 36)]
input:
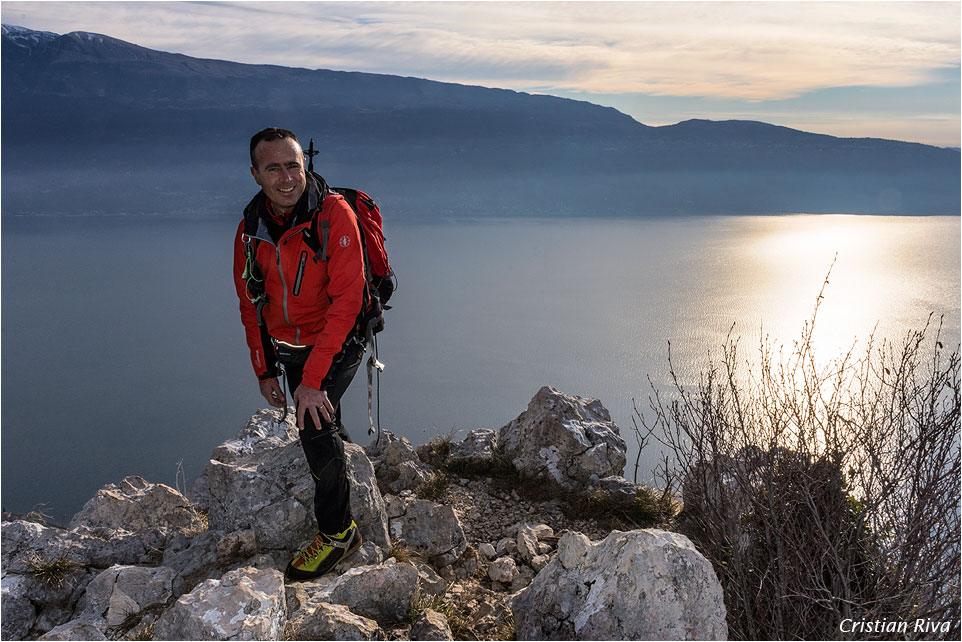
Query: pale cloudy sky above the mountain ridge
[(851, 69)]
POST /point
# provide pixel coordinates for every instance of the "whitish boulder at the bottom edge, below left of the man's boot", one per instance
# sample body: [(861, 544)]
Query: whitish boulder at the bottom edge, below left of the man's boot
[(245, 604)]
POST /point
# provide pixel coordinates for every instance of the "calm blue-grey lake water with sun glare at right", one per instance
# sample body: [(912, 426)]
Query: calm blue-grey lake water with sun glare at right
[(122, 350)]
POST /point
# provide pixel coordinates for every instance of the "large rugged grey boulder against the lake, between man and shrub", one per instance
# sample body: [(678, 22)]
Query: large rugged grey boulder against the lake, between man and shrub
[(568, 440)]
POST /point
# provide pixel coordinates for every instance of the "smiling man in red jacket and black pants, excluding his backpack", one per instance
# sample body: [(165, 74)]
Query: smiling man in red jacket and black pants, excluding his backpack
[(300, 305)]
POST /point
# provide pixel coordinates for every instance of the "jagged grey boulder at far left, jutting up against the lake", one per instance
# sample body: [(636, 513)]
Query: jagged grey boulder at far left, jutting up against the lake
[(135, 504)]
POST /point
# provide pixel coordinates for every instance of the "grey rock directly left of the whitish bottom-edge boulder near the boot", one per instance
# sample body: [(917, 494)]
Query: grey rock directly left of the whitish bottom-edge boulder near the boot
[(123, 591)]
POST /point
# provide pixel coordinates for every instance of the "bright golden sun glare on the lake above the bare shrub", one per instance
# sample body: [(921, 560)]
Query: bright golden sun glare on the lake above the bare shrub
[(784, 265)]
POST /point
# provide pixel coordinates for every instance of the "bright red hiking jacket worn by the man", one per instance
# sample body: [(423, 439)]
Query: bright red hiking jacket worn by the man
[(310, 302)]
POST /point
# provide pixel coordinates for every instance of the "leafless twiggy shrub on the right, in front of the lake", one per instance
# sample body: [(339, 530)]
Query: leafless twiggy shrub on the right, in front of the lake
[(822, 493)]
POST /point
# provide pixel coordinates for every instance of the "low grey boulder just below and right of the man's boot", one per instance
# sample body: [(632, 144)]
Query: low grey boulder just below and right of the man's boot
[(384, 592)]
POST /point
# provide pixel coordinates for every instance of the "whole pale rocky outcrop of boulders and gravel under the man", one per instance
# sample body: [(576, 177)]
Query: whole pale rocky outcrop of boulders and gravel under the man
[(140, 561)]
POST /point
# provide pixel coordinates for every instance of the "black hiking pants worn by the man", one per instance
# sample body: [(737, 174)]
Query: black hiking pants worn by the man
[(324, 446)]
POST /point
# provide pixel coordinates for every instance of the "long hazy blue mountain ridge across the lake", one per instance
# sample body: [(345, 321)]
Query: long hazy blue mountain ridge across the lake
[(88, 101)]
